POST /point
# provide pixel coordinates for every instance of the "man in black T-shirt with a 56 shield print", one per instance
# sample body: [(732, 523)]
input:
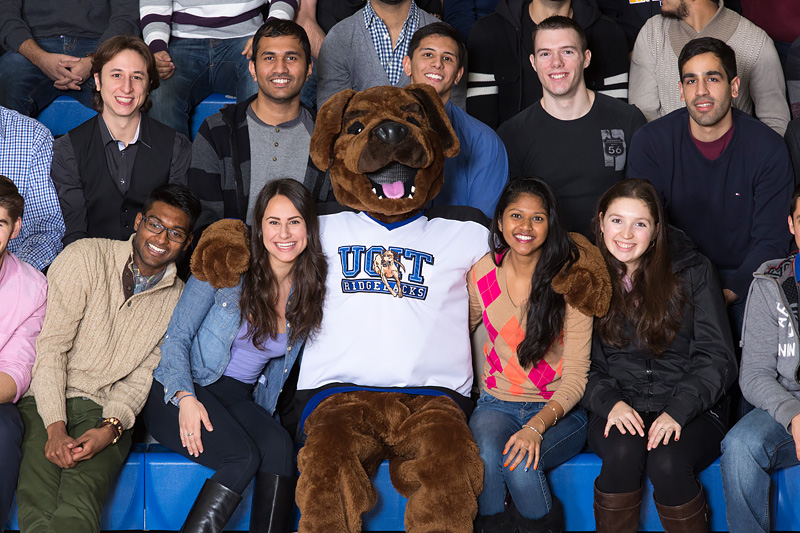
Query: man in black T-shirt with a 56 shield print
[(574, 138)]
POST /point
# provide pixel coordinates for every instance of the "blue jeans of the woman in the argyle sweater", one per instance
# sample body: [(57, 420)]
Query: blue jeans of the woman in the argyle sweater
[(492, 424)]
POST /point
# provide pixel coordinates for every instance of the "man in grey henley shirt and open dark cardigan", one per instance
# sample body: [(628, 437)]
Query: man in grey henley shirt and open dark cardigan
[(264, 138)]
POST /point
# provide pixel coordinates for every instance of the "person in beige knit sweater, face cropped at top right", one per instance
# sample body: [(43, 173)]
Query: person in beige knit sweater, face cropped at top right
[(654, 64)]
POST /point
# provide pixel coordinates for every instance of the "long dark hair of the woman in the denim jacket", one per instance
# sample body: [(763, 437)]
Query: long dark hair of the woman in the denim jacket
[(259, 299)]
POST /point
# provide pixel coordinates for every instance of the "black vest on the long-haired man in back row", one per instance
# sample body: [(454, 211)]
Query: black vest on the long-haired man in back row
[(109, 213)]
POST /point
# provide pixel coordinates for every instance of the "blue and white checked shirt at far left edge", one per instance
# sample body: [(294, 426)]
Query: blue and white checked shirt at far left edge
[(26, 150)]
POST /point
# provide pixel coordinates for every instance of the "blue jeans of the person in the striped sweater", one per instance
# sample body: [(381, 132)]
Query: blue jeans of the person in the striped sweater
[(202, 67)]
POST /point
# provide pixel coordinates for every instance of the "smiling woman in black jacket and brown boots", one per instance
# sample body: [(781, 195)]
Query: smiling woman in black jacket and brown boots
[(662, 359)]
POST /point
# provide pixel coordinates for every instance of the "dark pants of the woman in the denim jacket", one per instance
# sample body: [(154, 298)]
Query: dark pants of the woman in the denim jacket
[(245, 440)]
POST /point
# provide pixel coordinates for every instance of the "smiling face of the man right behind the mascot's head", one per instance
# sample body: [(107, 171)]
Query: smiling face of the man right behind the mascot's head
[(435, 63)]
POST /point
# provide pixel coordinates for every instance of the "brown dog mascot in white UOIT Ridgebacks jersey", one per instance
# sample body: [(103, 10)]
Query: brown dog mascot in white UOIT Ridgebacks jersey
[(391, 368)]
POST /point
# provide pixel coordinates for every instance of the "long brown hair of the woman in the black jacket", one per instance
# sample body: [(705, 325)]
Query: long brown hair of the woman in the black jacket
[(654, 304)]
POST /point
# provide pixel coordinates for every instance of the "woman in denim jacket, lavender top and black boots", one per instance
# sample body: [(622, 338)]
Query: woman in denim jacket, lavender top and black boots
[(226, 356)]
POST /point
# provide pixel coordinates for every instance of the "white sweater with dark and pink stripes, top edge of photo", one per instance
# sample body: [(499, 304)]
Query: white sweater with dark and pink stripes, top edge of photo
[(195, 19)]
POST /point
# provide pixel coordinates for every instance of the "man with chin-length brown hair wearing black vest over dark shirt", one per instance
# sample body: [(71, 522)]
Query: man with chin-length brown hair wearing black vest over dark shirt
[(105, 168)]
